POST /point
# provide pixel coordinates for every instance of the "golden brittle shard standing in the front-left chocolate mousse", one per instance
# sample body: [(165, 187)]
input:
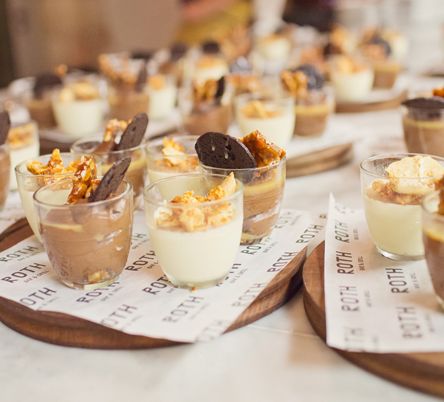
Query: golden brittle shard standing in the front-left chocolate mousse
[(85, 180)]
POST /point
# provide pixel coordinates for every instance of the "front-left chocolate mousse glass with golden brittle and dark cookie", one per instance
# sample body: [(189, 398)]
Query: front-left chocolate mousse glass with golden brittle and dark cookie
[(86, 224)]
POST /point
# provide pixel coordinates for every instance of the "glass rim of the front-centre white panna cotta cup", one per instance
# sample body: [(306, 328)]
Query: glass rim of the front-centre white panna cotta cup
[(166, 203)]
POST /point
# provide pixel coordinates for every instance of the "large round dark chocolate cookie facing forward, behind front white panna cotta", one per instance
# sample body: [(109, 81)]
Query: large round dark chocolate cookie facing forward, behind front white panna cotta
[(222, 151)]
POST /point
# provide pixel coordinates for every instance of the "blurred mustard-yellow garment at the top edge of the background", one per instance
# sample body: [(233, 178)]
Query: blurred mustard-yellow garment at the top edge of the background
[(217, 26)]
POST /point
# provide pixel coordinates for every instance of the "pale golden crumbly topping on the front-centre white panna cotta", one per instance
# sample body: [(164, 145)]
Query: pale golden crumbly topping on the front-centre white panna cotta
[(191, 216)]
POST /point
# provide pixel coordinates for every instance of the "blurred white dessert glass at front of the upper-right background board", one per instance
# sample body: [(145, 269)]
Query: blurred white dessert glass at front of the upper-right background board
[(351, 78)]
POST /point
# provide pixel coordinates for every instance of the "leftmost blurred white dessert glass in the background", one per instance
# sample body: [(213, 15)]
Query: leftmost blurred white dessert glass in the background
[(79, 109)]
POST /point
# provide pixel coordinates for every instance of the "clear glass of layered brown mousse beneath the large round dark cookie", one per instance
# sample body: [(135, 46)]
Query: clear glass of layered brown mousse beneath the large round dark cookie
[(263, 192)]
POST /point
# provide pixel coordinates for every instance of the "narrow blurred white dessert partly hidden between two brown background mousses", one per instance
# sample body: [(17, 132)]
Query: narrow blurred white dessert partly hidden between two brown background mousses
[(162, 95)]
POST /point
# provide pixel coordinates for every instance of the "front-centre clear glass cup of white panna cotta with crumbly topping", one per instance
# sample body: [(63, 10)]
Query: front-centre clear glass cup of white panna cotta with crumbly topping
[(201, 250)]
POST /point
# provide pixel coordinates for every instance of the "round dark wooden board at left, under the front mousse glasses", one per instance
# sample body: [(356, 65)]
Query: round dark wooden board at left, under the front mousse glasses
[(66, 330)]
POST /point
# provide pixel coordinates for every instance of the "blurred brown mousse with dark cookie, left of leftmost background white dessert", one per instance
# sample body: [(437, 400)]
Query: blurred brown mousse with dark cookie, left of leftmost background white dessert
[(39, 104)]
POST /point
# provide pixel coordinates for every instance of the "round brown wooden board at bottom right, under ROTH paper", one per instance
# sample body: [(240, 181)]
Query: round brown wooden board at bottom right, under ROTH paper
[(421, 371)]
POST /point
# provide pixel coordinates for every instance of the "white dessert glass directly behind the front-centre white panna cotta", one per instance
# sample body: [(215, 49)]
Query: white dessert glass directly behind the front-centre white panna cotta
[(171, 156)]
